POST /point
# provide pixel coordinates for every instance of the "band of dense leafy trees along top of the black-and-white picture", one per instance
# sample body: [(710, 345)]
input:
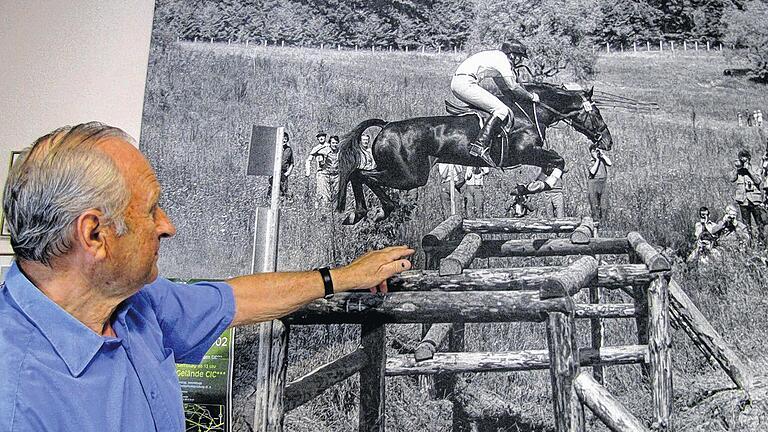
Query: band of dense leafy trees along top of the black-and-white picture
[(561, 33)]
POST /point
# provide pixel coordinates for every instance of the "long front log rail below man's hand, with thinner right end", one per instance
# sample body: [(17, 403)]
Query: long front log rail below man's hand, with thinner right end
[(441, 307)]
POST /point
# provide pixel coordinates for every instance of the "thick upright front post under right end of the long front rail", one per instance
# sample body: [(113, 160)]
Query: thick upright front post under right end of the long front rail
[(564, 367)]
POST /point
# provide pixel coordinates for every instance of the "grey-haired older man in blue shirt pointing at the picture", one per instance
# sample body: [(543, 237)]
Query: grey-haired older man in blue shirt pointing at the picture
[(89, 333)]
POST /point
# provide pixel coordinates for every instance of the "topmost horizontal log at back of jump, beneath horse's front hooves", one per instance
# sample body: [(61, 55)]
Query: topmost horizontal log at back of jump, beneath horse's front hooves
[(520, 226)]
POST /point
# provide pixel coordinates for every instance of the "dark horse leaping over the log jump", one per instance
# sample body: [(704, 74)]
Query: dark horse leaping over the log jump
[(406, 150)]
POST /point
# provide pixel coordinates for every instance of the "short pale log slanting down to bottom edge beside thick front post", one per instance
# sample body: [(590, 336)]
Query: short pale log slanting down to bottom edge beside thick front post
[(605, 406)]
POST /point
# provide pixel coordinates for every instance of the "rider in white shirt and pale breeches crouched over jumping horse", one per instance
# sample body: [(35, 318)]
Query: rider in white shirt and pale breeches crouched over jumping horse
[(465, 86)]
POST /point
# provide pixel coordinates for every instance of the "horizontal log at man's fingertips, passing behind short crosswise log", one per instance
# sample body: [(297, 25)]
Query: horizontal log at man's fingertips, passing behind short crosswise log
[(514, 278)]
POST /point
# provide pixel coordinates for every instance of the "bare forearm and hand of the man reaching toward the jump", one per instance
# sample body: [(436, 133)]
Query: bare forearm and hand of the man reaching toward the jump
[(266, 296)]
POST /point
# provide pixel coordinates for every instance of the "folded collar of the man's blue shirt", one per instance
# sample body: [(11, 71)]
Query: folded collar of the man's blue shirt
[(75, 343)]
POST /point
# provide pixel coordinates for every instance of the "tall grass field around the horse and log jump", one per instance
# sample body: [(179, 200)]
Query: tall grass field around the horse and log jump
[(200, 105)]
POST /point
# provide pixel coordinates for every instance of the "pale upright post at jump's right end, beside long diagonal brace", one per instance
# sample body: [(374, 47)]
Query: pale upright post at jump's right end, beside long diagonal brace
[(659, 344)]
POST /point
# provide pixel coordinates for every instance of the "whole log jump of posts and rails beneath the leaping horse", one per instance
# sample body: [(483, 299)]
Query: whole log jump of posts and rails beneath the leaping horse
[(448, 294)]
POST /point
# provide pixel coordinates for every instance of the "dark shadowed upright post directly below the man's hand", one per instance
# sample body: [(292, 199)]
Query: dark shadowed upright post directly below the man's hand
[(372, 395)]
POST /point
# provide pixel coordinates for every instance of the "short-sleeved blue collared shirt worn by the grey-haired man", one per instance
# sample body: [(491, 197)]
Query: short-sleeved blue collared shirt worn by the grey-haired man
[(58, 375)]
